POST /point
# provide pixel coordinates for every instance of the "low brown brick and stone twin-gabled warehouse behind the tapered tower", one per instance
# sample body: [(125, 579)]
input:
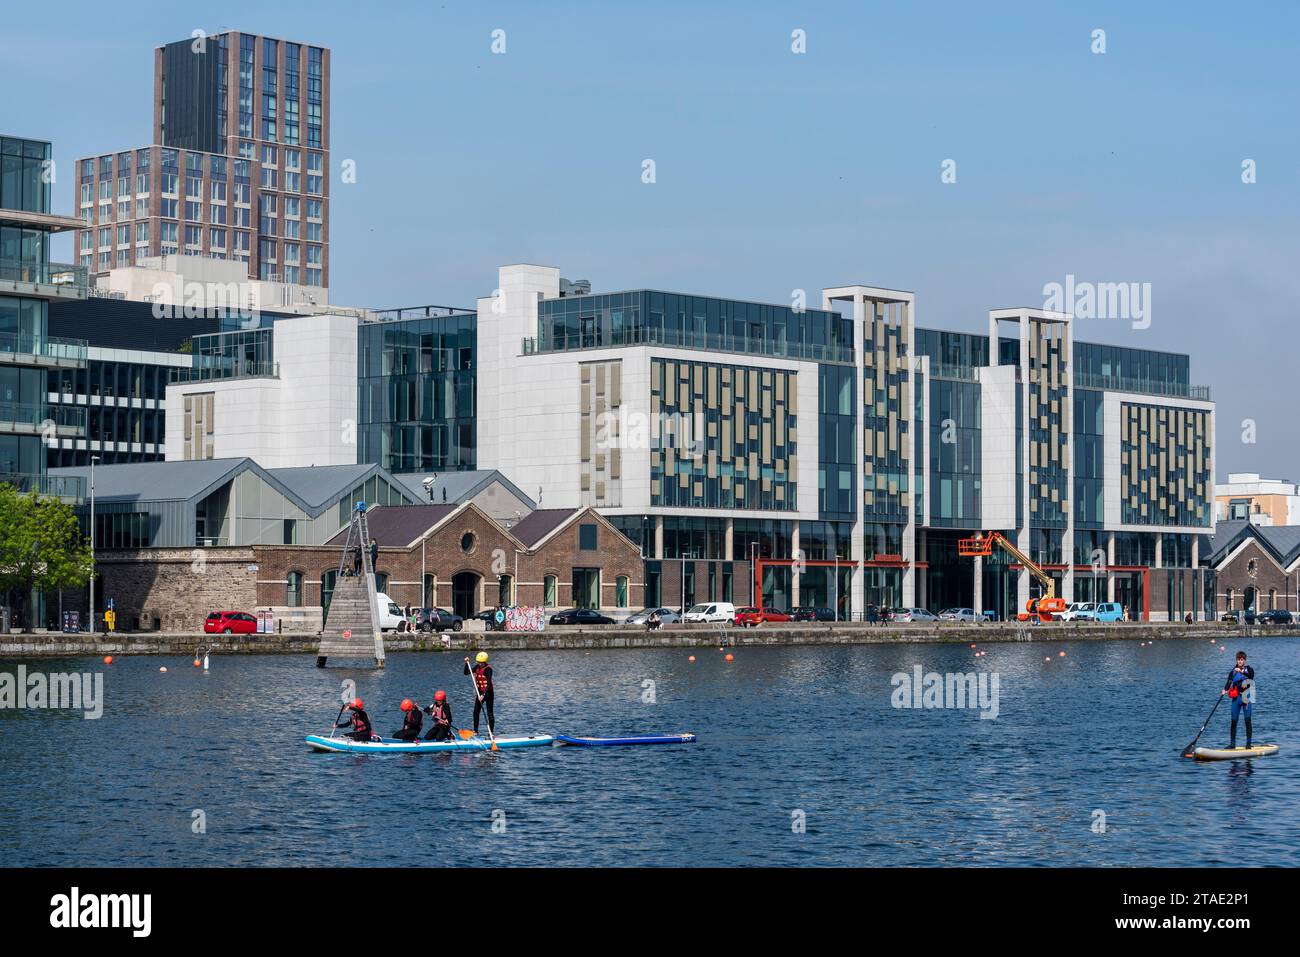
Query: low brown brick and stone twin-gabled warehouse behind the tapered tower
[(454, 557)]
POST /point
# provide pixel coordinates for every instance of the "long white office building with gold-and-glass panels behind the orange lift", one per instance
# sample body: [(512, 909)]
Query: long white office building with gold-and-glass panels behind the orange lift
[(835, 456)]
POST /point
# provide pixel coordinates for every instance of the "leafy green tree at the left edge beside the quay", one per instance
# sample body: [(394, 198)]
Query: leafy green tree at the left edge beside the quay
[(42, 545)]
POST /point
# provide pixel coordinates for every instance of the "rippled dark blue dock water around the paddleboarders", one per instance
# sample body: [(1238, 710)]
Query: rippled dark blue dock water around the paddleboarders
[(781, 731)]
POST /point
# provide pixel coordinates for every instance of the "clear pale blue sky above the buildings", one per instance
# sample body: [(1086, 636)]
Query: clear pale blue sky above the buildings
[(778, 171)]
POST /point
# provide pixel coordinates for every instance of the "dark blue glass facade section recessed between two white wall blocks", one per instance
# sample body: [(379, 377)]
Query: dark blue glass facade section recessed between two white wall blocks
[(418, 392)]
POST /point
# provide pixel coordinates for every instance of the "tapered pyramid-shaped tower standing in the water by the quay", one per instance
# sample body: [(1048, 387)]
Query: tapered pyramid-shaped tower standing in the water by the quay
[(353, 620)]
